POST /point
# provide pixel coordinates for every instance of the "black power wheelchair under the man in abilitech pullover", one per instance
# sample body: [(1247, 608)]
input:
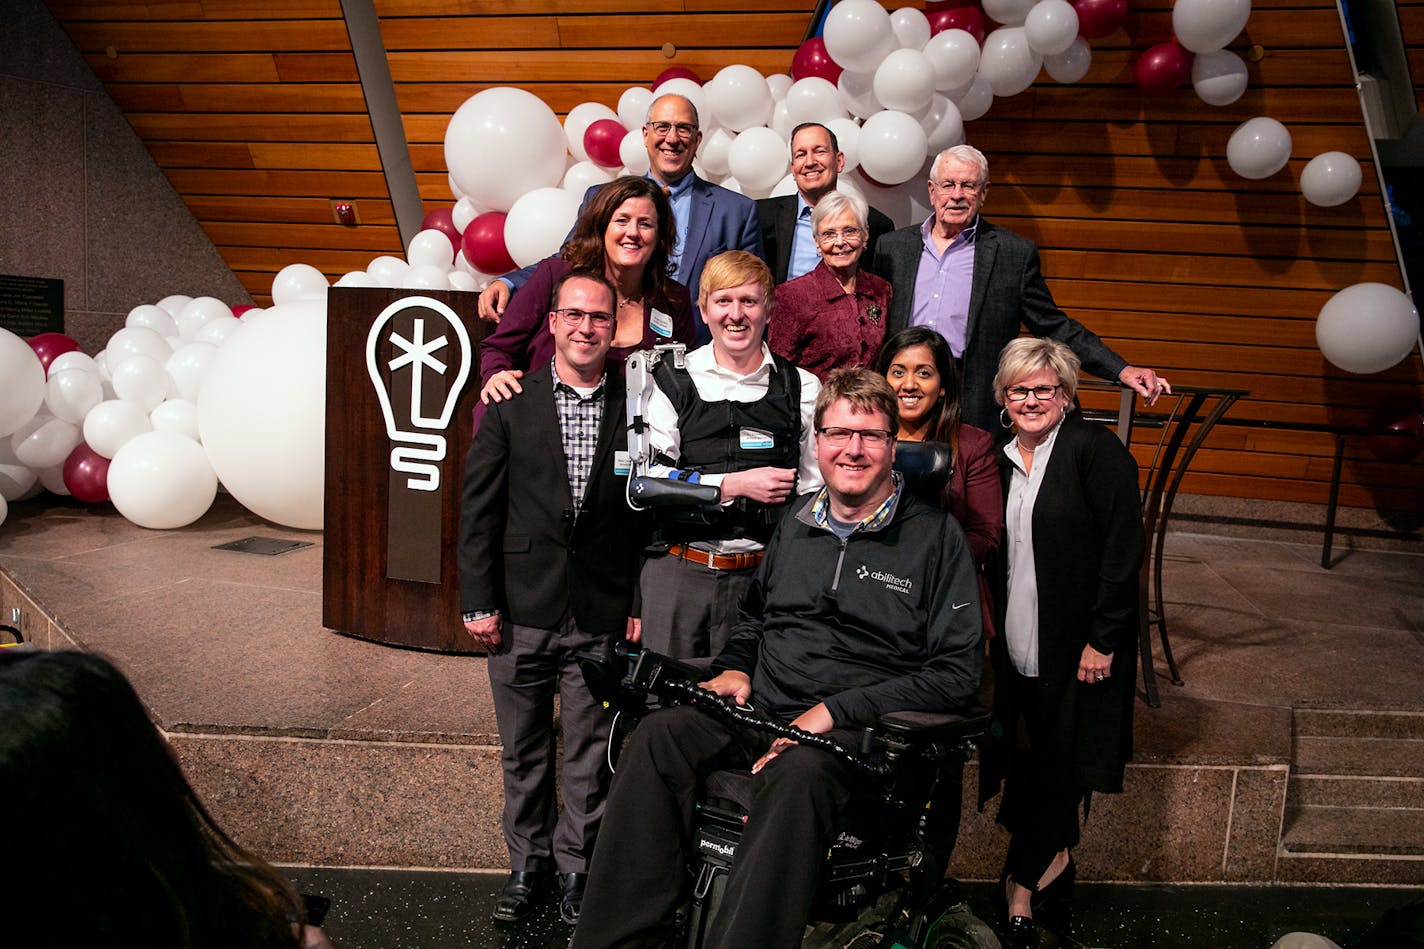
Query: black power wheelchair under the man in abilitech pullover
[(884, 883)]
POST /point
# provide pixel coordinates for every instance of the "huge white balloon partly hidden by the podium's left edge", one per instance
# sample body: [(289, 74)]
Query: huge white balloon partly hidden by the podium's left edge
[(263, 415)]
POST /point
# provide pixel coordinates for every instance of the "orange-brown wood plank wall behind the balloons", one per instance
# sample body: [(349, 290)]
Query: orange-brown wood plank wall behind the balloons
[(254, 110)]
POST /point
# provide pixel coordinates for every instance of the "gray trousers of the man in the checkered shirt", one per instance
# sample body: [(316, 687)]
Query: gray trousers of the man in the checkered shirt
[(530, 668)]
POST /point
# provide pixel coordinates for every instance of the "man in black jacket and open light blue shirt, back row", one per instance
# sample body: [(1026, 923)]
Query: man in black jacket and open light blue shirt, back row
[(817, 166)]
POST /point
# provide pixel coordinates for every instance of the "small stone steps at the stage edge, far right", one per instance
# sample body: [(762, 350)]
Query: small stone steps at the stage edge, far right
[(1355, 804)]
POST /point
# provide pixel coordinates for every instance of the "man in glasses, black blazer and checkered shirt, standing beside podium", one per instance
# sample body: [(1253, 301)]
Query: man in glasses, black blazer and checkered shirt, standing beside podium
[(549, 561)]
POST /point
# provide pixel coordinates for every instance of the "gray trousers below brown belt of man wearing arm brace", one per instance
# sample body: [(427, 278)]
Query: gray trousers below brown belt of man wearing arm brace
[(689, 611)]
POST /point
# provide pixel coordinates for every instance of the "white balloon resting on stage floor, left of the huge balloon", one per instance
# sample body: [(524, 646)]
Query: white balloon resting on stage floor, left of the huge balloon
[(162, 481)]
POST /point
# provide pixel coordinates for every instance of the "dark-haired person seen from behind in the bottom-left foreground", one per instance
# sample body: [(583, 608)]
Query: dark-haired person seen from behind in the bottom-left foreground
[(105, 834)]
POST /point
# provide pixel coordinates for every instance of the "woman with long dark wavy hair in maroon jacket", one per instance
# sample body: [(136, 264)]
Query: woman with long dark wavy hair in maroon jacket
[(626, 234)]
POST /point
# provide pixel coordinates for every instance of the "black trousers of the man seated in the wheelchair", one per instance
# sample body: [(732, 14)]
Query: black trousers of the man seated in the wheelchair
[(639, 876)]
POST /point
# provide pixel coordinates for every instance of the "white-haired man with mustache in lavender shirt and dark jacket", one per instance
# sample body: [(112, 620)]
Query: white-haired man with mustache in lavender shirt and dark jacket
[(978, 284)]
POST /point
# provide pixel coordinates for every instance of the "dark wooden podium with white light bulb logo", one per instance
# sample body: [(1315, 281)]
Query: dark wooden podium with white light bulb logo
[(402, 374)]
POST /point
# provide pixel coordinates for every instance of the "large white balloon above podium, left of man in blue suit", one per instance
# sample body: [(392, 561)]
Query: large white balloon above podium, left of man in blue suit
[(503, 143)]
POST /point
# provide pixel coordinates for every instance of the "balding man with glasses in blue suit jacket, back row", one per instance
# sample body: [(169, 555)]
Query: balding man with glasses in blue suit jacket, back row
[(710, 219)]
